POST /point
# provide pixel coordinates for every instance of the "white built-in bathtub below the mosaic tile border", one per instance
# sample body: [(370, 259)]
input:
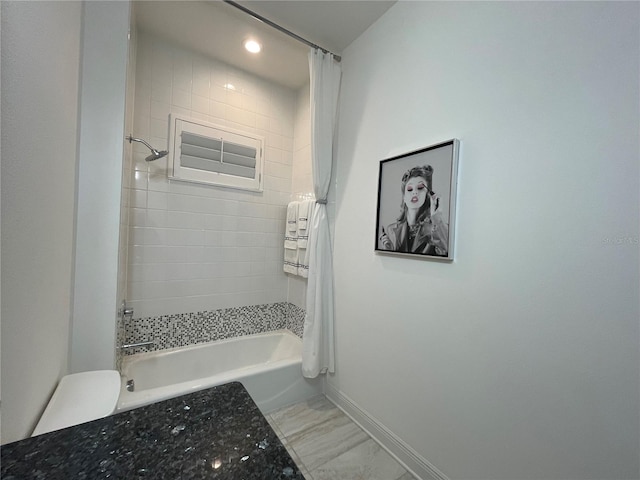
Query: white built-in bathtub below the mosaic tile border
[(267, 364)]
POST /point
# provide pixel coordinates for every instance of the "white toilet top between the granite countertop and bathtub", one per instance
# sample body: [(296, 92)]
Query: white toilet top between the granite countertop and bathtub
[(79, 398)]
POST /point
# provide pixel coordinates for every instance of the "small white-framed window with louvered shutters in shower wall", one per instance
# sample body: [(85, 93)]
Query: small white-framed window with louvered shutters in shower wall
[(206, 153)]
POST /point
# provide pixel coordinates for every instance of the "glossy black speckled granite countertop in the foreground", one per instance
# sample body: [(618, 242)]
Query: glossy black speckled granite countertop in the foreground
[(215, 433)]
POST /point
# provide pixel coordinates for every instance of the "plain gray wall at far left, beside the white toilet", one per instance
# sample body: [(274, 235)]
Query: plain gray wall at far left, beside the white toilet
[(40, 68)]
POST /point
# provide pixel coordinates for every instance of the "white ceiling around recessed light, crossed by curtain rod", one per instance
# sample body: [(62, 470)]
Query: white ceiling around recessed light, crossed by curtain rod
[(218, 30)]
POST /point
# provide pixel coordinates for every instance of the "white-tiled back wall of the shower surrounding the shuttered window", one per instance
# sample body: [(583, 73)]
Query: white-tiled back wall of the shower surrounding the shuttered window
[(202, 248)]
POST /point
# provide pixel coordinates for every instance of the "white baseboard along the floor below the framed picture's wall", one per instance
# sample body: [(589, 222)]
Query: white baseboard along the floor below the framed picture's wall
[(403, 453)]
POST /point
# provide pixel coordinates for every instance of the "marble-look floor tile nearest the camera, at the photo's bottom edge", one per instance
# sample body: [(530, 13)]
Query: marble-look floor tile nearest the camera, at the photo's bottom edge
[(366, 461)]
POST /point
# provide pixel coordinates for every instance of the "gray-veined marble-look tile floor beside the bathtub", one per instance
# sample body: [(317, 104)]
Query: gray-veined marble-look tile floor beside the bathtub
[(327, 445)]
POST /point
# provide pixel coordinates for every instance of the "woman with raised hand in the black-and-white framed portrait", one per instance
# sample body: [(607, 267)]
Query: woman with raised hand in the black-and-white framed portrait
[(420, 227)]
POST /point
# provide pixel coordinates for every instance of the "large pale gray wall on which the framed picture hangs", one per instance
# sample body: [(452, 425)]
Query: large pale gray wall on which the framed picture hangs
[(519, 360)]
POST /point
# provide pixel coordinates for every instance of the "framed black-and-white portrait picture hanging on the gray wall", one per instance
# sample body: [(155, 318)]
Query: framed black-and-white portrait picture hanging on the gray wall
[(417, 202)]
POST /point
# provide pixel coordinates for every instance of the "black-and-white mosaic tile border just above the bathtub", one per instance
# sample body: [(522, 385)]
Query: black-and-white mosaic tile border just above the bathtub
[(179, 330)]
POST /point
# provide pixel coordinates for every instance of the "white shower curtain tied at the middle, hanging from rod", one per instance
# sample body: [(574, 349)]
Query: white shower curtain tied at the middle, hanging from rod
[(317, 340)]
